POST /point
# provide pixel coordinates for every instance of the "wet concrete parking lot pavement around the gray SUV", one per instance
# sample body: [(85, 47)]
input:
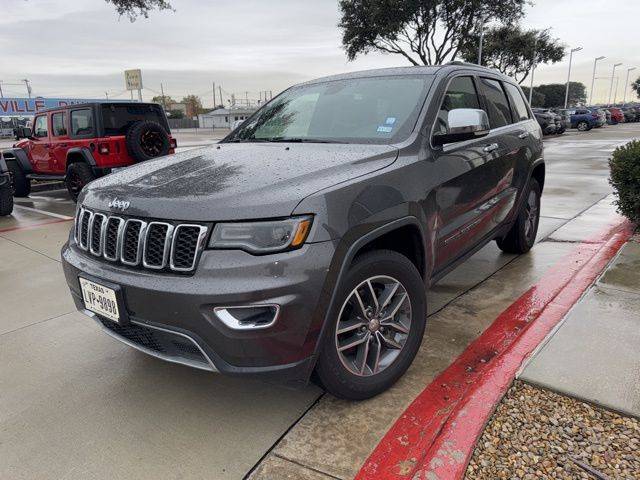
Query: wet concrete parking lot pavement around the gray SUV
[(76, 404)]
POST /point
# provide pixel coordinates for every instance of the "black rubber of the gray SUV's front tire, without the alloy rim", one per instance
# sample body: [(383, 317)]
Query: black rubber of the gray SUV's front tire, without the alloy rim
[(331, 373)]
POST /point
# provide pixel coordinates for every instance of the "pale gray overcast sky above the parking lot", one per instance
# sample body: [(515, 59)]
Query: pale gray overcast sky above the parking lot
[(80, 48)]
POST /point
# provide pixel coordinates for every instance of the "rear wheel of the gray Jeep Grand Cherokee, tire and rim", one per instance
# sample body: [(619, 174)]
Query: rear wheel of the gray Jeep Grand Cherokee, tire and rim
[(522, 235)]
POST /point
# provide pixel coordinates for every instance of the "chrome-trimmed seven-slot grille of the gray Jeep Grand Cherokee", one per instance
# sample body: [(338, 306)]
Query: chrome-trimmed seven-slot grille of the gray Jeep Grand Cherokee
[(134, 242)]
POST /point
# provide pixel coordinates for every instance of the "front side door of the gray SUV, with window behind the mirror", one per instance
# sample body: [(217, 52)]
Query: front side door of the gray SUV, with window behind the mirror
[(471, 175)]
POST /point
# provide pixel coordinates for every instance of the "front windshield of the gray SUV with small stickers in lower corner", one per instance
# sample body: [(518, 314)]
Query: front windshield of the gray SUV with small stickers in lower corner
[(365, 110)]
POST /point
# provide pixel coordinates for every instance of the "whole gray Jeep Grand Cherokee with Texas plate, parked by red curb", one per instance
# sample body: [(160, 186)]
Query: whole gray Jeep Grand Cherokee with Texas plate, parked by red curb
[(303, 243)]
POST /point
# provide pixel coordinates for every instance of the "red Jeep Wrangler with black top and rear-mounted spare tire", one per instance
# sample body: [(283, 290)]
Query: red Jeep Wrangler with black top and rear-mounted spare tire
[(78, 143)]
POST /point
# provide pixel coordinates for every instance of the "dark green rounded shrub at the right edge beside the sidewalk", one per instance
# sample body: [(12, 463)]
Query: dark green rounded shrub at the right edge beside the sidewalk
[(625, 179)]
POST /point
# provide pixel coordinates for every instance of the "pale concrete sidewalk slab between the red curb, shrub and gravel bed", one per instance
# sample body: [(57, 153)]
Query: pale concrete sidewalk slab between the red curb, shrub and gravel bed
[(594, 354)]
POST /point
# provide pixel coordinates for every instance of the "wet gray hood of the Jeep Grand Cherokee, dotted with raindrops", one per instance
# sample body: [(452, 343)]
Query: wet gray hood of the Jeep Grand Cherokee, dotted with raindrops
[(234, 181)]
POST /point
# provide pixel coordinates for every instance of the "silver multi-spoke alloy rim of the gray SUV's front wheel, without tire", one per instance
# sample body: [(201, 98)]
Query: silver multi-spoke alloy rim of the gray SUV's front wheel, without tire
[(373, 325)]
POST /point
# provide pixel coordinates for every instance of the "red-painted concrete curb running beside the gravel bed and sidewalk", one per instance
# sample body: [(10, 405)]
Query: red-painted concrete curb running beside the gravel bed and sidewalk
[(436, 434)]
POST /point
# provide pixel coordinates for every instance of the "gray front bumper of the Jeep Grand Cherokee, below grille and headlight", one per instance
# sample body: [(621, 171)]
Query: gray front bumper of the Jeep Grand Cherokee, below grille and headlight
[(183, 307)]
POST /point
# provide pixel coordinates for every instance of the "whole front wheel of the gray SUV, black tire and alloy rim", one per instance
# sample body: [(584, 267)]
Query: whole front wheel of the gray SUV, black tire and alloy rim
[(377, 329)]
